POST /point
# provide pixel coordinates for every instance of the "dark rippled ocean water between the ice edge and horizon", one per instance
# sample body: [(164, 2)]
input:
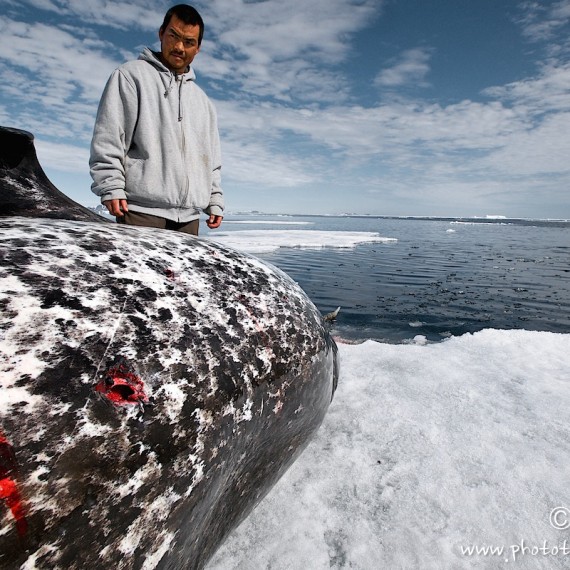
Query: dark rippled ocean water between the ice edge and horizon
[(442, 277)]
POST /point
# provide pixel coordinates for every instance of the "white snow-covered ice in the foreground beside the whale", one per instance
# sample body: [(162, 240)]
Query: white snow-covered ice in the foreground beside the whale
[(428, 452)]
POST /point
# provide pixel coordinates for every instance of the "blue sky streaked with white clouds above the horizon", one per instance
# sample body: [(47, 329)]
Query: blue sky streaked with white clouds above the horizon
[(386, 107)]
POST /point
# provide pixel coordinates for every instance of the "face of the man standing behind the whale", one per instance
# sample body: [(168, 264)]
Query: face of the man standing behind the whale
[(179, 44)]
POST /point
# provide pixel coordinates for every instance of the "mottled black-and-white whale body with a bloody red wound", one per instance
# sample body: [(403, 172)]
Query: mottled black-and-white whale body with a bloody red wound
[(154, 386)]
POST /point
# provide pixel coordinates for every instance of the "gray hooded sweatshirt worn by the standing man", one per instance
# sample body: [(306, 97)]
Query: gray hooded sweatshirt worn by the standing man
[(156, 143)]
